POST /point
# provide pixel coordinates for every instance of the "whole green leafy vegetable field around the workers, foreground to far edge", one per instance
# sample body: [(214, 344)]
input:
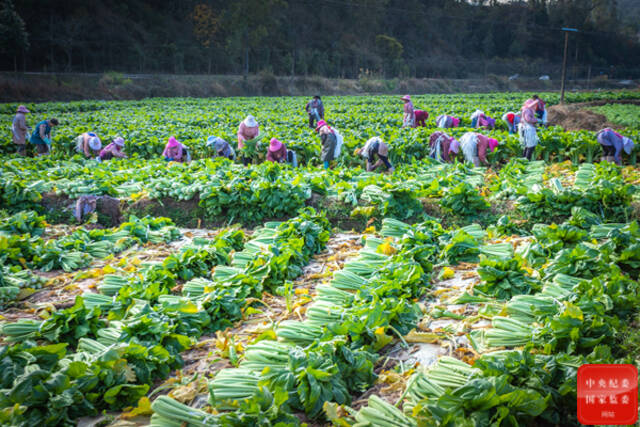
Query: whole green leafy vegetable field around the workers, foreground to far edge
[(225, 295)]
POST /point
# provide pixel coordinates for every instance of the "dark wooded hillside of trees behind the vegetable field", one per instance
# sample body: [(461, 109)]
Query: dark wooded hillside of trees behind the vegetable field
[(332, 38)]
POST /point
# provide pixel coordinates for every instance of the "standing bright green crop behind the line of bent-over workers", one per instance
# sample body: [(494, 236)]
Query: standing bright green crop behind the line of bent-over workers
[(147, 124)]
